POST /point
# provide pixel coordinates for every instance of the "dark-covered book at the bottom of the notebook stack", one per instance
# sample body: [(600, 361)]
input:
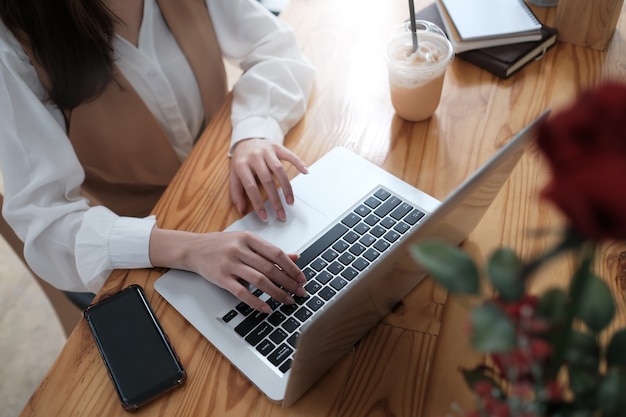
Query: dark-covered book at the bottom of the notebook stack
[(504, 60)]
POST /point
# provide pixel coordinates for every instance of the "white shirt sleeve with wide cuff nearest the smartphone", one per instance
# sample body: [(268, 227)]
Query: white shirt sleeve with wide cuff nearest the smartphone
[(66, 243)]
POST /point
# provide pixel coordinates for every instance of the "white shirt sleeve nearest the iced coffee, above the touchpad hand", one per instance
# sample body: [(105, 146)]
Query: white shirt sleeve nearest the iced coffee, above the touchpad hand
[(272, 94)]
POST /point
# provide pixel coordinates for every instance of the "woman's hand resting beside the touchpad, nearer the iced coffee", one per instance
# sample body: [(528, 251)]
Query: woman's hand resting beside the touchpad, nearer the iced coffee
[(258, 163)]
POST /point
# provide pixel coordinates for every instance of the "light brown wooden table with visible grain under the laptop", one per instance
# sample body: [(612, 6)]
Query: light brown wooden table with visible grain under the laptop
[(407, 365)]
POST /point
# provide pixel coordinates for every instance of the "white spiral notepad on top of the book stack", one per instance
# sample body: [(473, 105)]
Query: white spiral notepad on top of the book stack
[(482, 19)]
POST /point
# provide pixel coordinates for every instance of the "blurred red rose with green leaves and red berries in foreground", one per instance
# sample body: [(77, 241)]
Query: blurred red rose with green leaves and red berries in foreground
[(544, 354)]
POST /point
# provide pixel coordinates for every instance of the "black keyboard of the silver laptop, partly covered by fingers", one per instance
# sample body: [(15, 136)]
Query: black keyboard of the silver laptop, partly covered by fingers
[(330, 264)]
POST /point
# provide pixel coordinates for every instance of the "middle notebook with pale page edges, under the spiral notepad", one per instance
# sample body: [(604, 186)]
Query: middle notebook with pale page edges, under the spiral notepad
[(461, 45)]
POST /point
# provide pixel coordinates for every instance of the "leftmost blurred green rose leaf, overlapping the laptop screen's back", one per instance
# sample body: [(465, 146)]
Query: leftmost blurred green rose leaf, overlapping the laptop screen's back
[(448, 265)]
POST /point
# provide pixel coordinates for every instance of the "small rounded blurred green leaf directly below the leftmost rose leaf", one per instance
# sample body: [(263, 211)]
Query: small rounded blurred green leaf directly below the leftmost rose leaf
[(492, 330)]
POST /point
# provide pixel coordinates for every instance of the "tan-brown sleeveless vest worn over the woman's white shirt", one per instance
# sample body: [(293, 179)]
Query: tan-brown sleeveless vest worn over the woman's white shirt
[(127, 158)]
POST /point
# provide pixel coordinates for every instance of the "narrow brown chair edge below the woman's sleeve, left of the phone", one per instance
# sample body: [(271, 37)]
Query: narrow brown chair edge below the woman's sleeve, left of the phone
[(67, 305)]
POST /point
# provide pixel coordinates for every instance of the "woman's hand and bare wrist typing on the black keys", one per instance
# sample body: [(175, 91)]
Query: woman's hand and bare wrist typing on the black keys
[(228, 258)]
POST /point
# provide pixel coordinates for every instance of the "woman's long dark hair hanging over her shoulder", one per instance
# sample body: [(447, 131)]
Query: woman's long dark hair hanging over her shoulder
[(70, 39)]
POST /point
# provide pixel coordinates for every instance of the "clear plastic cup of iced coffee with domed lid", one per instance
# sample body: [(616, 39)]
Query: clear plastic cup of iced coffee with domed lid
[(417, 70)]
